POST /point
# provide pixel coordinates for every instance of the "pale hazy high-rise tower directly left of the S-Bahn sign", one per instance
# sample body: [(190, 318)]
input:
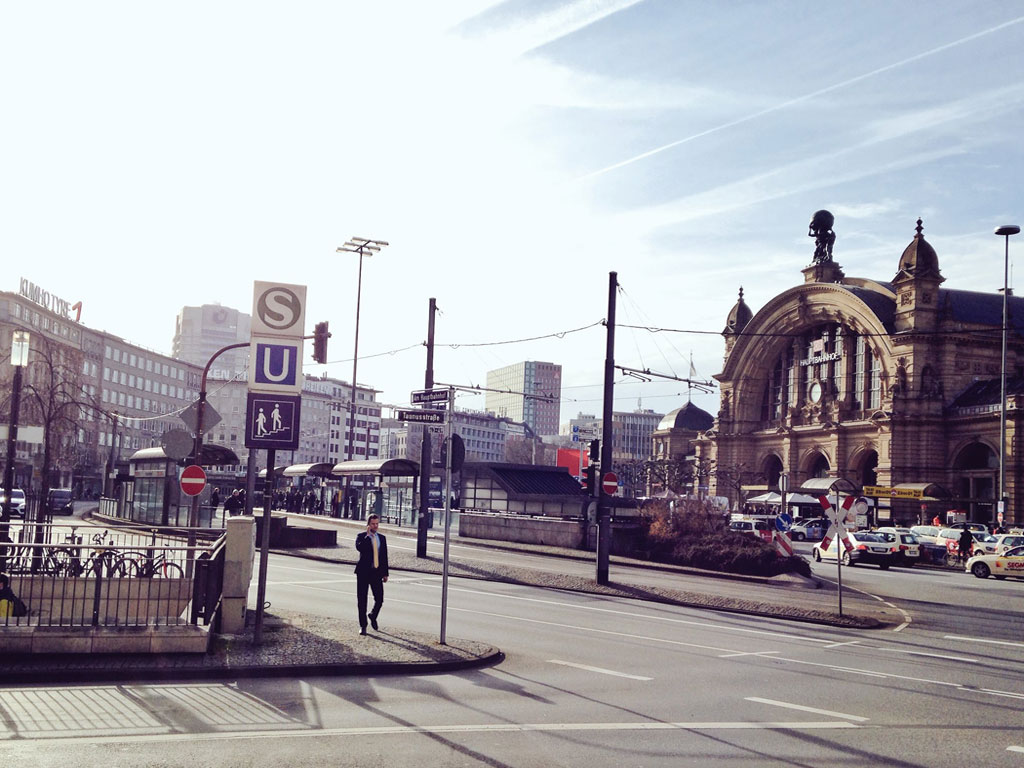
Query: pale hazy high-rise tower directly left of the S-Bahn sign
[(201, 331)]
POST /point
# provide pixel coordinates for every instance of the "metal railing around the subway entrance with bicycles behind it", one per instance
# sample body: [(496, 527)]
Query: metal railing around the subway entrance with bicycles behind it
[(79, 577)]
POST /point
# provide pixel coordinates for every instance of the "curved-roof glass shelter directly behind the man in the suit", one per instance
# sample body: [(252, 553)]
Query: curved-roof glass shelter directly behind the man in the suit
[(391, 493)]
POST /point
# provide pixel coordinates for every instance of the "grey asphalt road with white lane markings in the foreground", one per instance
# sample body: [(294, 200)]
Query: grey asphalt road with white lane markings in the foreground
[(588, 681)]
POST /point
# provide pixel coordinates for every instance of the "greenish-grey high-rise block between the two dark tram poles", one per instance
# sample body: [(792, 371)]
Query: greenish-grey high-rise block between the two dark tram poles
[(519, 382)]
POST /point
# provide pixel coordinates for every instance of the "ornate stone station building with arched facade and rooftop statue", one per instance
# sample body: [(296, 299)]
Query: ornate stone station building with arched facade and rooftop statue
[(886, 382)]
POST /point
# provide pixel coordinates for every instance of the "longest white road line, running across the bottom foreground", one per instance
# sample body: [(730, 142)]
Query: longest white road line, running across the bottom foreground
[(389, 731)]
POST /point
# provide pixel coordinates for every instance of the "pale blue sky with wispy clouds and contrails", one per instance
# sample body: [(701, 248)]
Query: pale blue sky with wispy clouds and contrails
[(155, 156)]
